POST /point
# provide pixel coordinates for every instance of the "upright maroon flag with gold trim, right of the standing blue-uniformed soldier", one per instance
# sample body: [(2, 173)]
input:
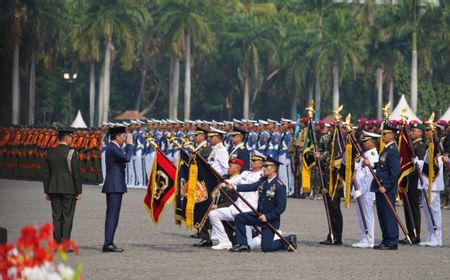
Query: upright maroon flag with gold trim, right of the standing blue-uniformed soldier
[(406, 163)]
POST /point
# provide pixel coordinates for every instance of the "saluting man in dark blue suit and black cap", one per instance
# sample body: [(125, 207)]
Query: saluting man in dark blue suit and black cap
[(115, 185)]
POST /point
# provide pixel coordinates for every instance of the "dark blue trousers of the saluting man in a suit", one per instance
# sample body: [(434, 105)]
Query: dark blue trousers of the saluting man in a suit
[(113, 204)]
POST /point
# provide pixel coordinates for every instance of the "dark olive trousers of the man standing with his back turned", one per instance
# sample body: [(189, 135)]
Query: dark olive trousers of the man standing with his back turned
[(63, 210)]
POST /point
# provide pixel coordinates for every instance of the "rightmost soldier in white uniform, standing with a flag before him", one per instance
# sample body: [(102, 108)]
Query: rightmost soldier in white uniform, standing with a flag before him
[(433, 240)]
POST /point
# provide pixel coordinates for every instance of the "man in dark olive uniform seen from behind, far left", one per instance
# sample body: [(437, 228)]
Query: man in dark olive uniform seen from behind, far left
[(62, 184)]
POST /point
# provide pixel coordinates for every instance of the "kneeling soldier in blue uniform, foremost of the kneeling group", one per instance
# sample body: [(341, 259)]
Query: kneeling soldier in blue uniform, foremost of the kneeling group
[(271, 204)]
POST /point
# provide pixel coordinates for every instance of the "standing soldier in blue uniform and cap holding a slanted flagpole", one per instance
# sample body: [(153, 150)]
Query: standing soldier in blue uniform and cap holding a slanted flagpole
[(388, 171)]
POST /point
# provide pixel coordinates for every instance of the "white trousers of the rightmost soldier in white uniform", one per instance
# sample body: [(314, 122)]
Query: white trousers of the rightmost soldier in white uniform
[(436, 211)]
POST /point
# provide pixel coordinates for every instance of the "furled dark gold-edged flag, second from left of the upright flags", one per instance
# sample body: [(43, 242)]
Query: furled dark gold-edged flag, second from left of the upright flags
[(337, 152)]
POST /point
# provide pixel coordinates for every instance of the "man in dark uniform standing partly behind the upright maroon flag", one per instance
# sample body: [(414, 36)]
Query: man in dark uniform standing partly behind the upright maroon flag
[(416, 133)]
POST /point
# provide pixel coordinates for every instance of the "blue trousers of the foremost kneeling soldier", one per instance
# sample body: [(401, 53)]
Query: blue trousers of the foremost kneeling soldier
[(267, 242)]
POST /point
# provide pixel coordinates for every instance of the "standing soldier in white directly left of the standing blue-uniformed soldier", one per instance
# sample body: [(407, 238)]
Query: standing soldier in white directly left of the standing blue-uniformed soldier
[(363, 178)]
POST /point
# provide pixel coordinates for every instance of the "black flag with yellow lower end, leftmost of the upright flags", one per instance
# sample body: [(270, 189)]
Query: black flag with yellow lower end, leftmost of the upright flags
[(308, 158)]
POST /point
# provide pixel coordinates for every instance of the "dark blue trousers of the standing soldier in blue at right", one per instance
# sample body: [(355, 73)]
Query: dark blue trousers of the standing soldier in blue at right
[(388, 223)]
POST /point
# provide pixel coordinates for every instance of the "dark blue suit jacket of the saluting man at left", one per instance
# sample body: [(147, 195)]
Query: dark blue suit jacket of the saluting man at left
[(116, 160)]
